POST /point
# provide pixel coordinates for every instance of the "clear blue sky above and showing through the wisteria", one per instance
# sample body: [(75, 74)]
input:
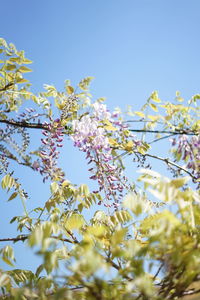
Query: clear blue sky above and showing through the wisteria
[(130, 47)]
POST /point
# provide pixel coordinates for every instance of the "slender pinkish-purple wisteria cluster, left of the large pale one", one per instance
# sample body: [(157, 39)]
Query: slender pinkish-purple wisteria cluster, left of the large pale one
[(52, 140)]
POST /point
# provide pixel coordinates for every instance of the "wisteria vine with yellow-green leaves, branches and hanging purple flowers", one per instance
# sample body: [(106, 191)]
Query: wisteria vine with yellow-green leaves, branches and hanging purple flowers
[(143, 239)]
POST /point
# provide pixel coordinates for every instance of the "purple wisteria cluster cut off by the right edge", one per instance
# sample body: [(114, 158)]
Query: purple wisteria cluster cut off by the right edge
[(188, 149)]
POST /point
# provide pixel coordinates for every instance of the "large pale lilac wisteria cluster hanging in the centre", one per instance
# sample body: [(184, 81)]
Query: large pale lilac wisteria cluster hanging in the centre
[(90, 136)]
